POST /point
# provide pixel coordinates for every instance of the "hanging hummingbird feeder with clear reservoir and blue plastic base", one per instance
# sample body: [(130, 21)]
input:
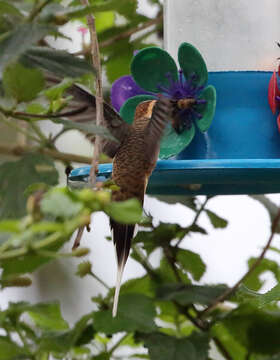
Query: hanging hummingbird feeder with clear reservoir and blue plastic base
[(240, 152)]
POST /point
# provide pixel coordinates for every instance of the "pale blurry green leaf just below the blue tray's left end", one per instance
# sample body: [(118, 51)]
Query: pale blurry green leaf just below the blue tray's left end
[(58, 203)]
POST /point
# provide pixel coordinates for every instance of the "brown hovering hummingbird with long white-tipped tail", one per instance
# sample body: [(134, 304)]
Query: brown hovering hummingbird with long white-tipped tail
[(134, 156)]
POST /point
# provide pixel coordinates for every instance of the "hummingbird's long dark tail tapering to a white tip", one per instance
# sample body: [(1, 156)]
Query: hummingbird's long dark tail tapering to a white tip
[(122, 236)]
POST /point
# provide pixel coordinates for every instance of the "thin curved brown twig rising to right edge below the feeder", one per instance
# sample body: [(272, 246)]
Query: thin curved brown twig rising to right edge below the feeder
[(231, 290)]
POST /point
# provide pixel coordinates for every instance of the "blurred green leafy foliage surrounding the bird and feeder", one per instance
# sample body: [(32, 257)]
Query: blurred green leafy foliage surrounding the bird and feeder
[(160, 314)]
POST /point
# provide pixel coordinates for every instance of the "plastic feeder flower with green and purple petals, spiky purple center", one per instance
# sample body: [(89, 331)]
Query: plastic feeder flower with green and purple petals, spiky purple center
[(155, 72)]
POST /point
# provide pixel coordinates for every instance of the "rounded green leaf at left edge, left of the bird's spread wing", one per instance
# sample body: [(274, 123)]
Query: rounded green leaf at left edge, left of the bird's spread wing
[(15, 80)]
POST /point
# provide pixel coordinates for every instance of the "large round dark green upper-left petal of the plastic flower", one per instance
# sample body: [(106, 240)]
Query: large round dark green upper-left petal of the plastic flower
[(150, 66)]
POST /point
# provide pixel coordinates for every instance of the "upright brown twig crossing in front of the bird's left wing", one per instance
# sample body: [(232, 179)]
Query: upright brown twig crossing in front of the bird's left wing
[(99, 94)]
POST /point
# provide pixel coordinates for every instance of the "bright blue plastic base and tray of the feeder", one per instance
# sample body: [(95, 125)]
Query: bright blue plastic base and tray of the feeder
[(240, 153)]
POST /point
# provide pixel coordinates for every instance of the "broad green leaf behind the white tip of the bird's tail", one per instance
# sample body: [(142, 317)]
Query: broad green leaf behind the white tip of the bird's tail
[(136, 312)]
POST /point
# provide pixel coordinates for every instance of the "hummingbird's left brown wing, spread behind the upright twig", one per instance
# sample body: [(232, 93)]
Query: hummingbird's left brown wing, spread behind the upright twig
[(82, 108)]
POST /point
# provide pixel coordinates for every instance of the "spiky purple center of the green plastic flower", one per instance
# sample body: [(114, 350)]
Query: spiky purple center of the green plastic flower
[(184, 113)]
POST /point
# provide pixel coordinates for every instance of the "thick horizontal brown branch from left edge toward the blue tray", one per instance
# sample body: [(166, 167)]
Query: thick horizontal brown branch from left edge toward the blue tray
[(16, 150)]
